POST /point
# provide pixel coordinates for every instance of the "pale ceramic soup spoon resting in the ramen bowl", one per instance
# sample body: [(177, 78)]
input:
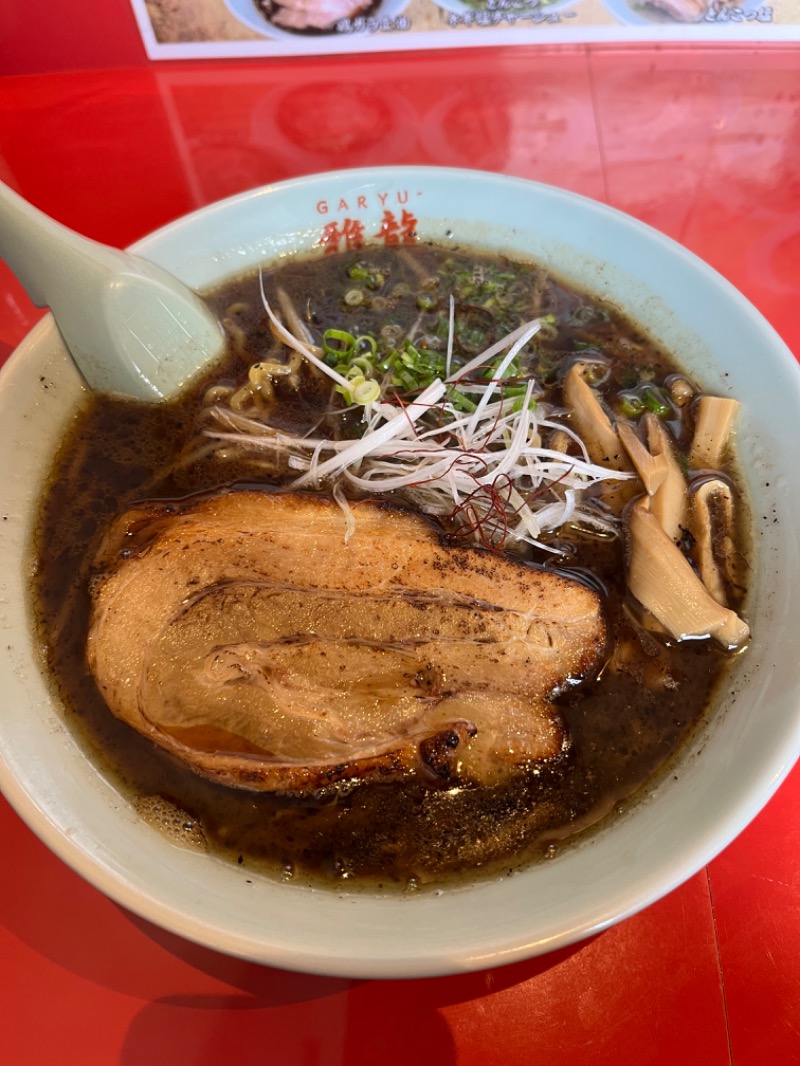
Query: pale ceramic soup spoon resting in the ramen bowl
[(132, 328)]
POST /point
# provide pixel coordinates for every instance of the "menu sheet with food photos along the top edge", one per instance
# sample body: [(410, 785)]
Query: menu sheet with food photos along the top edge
[(198, 29)]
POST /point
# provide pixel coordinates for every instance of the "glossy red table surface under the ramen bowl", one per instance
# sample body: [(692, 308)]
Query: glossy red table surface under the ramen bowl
[(703, 144)]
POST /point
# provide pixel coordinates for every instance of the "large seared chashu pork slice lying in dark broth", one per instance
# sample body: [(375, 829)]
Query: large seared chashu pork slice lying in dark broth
[(243, 634)]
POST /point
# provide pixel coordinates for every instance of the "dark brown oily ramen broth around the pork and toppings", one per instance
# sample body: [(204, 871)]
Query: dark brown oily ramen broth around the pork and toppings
[(622, 732)]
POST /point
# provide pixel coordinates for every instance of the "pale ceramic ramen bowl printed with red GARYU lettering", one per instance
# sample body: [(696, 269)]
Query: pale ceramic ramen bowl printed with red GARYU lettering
[(721, 785)]
